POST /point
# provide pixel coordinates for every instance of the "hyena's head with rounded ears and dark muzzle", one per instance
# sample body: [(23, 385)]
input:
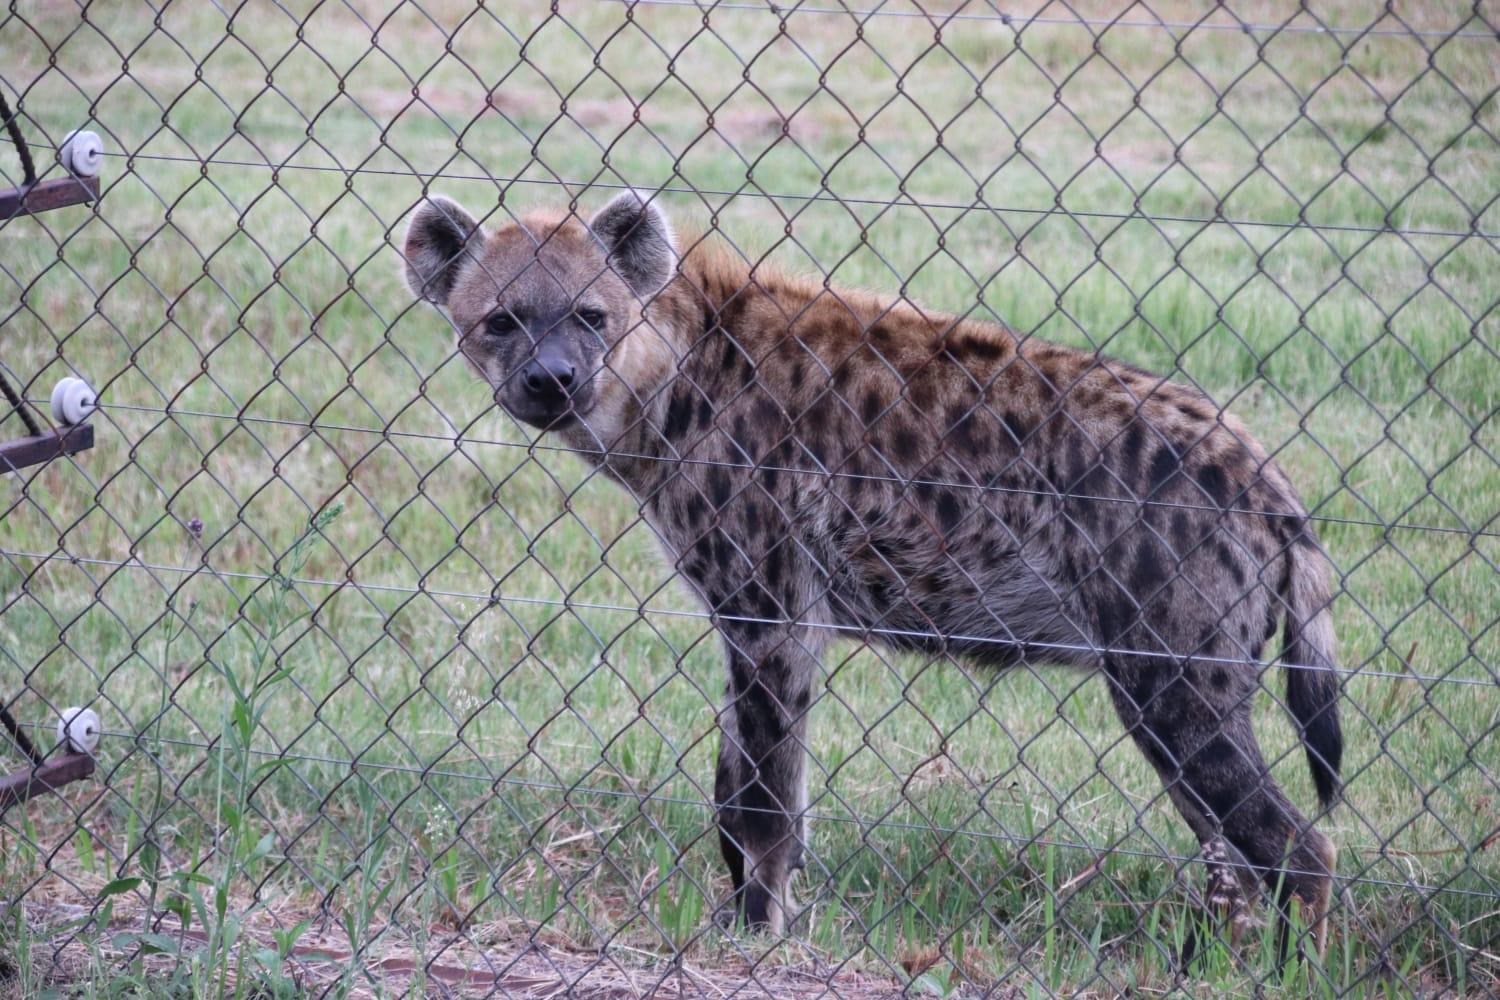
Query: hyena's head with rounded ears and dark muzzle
[(545, 308)]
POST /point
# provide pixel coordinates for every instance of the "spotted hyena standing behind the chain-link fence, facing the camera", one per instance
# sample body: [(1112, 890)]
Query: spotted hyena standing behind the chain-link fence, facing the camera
[(823, 463)]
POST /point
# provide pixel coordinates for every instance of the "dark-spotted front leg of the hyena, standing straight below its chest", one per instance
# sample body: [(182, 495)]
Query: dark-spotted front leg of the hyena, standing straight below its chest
[(761, 788)]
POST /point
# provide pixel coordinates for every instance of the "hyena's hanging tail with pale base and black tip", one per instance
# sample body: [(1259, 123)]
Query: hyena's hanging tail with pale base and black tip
[(1309, 653)]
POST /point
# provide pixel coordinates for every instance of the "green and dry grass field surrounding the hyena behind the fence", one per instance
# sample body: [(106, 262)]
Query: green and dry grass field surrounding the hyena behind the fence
[(473, 713)]
